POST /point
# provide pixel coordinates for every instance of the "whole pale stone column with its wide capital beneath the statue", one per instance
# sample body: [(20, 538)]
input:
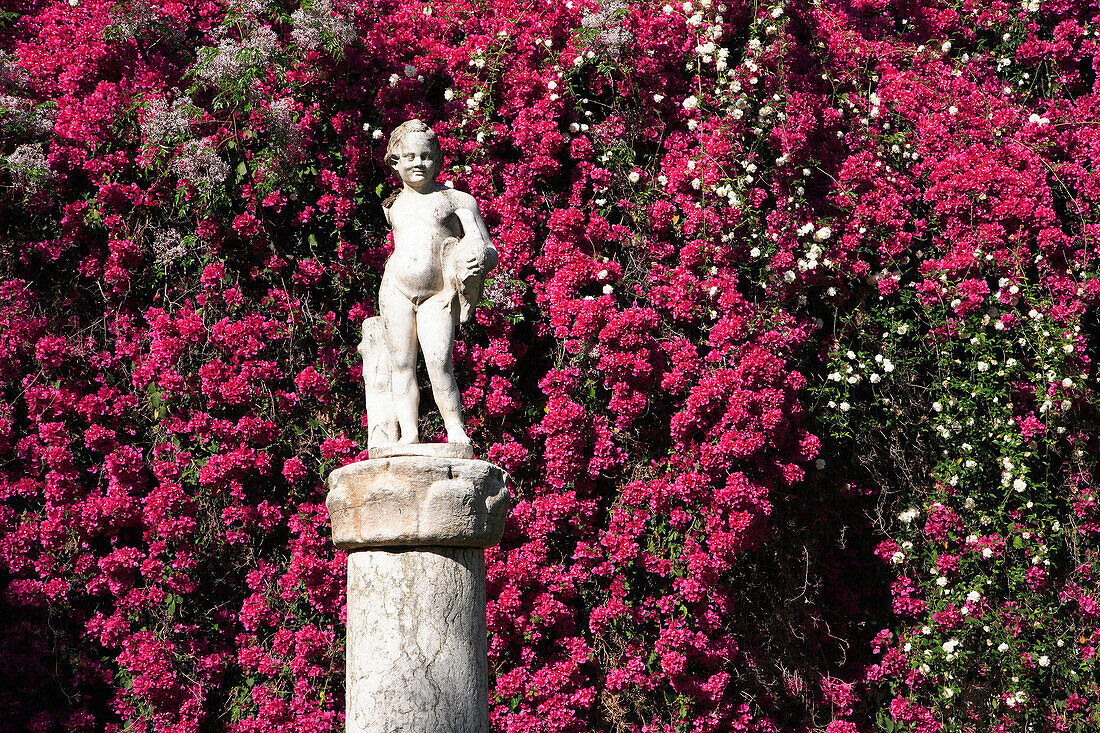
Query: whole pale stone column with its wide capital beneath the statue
[(416, 529)]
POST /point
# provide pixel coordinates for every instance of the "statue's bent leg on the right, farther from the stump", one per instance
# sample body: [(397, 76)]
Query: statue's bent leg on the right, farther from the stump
[(436, 329)]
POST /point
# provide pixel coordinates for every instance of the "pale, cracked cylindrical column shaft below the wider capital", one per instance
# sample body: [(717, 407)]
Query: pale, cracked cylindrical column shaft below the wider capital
[(416, 641)]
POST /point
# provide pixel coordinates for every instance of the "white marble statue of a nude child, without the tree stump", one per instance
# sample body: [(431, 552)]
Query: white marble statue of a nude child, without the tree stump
[(433, 281)]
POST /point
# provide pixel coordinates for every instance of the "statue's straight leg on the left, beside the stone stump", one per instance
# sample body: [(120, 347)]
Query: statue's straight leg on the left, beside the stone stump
[(400, 315)]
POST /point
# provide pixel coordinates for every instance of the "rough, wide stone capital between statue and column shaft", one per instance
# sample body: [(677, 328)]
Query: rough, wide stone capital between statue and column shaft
[(417, 501)]
